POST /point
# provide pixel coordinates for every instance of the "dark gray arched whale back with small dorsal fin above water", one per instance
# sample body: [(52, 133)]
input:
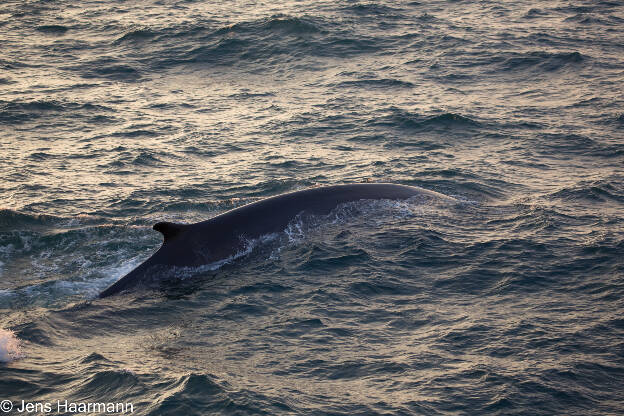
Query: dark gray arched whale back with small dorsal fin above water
[(192, 245)]
